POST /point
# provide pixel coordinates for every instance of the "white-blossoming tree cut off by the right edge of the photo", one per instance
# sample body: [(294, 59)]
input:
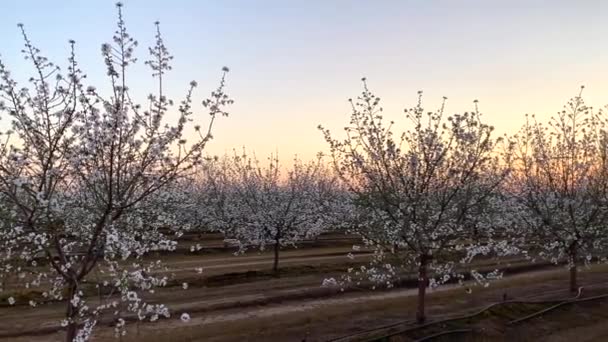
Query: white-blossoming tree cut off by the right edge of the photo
[(559, 185)]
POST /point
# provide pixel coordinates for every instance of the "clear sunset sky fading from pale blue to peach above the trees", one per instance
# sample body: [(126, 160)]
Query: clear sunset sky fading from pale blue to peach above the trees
[(295, 63)]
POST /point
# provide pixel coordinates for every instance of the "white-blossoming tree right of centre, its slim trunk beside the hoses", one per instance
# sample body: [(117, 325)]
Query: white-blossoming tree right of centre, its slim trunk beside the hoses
[(417, 190)]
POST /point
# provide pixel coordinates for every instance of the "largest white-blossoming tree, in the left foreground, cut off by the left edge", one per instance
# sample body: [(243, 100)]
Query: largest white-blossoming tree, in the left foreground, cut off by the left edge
[(77, 172)]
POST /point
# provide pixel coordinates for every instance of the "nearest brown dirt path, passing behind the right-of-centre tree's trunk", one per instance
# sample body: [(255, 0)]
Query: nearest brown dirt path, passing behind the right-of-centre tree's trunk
[(320, 319)]
